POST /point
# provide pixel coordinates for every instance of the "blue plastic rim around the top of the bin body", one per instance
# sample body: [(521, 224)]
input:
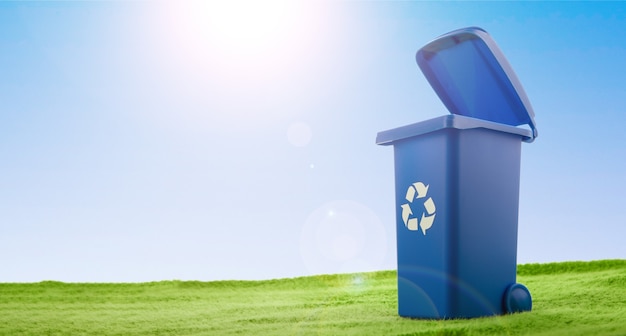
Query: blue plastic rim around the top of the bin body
[(454, 121)]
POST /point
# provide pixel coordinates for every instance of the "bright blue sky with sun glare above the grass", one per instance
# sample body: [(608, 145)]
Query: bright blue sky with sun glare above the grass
[(145, 141)]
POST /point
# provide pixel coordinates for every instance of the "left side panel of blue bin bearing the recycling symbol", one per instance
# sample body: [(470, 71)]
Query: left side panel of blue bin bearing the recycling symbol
[(420, 163)]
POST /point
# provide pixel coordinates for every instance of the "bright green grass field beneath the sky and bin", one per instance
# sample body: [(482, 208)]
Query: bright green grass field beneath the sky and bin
[(572, 298)]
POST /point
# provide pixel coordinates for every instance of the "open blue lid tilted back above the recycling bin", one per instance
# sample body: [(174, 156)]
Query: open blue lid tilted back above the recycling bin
[(470, 75)]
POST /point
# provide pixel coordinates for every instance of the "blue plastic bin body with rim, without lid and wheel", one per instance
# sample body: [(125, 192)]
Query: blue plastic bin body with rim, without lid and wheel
[(462, 265)]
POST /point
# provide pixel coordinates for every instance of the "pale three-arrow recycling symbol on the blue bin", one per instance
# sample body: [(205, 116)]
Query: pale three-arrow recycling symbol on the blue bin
[(417, 192)]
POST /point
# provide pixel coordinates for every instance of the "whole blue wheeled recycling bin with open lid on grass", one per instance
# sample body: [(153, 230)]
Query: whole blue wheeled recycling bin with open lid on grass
[(457, 185)]
